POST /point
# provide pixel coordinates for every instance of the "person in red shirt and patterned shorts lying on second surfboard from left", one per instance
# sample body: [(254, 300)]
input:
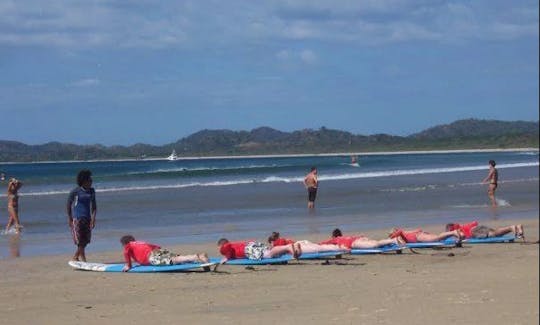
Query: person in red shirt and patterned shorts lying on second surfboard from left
[(254, 250)]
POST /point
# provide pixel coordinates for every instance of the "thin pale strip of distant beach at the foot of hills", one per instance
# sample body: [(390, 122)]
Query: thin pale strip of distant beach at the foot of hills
[(359, 153)]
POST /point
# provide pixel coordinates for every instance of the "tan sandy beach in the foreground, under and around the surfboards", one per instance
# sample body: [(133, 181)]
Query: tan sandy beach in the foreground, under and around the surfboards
[(476, 284)]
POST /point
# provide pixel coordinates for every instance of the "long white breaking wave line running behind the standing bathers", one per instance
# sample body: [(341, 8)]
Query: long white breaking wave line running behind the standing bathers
[(295, 179)]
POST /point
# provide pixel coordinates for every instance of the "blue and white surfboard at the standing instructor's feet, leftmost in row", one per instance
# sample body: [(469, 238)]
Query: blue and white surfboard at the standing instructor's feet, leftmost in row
[(117, 267)]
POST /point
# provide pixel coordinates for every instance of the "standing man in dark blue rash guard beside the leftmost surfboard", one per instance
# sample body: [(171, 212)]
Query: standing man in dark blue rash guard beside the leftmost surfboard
[(81, 211)]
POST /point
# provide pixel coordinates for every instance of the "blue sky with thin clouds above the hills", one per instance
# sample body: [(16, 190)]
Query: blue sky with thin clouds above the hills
[(141, 71)]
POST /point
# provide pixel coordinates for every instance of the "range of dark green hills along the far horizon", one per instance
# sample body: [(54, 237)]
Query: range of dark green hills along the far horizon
[(462, 134)]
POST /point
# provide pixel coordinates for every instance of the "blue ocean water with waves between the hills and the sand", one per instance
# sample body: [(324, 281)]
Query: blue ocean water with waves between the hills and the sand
[(202, 200)]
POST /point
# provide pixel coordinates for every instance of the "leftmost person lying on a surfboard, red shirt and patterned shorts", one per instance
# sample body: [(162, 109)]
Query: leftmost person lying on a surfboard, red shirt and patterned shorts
[(149, 254)]
